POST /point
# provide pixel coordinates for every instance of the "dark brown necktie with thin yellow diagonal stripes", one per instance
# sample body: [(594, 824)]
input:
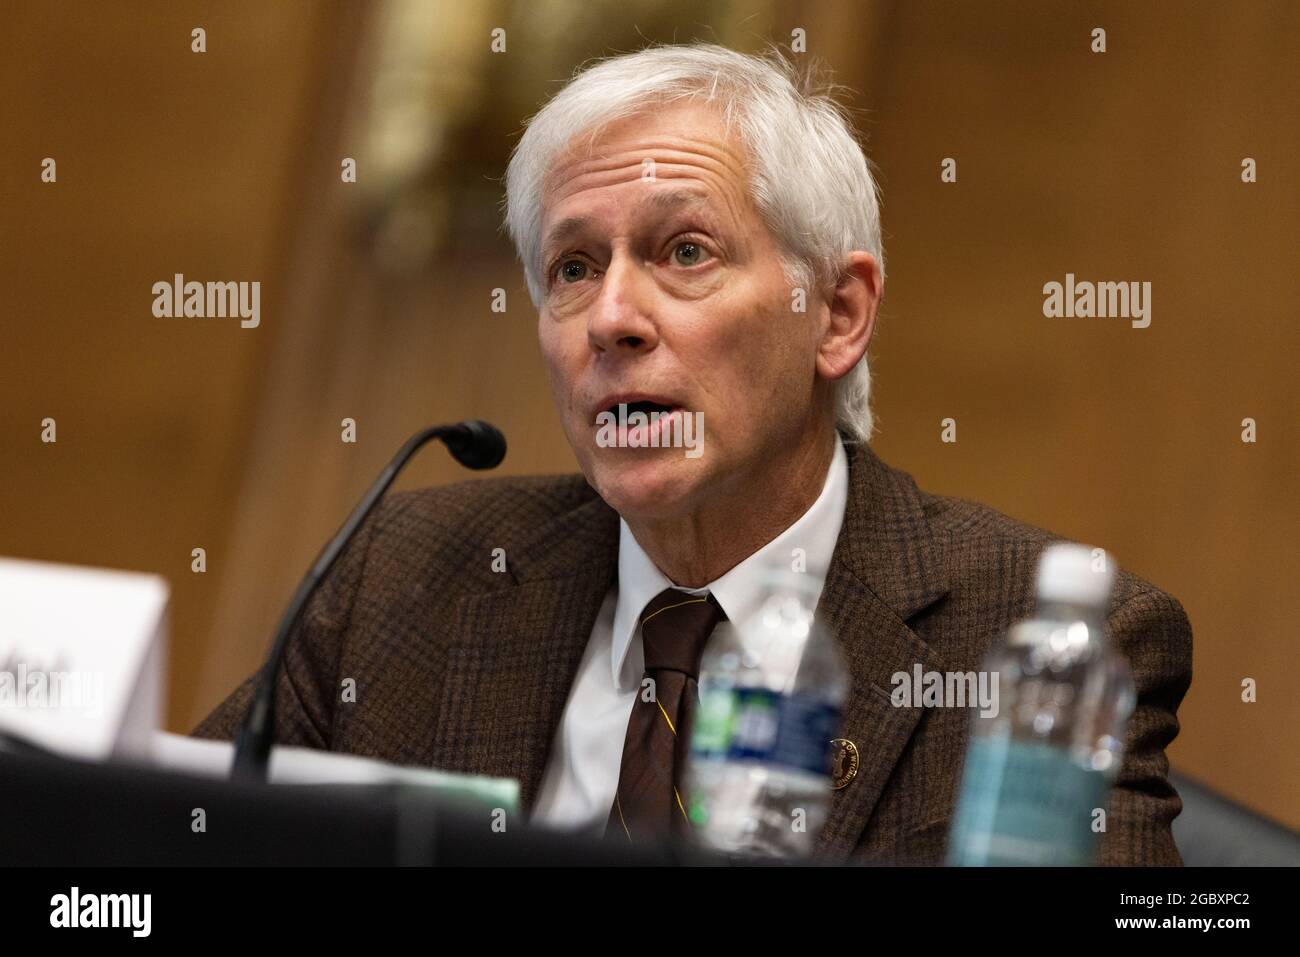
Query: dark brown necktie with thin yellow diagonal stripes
[(648, 803)]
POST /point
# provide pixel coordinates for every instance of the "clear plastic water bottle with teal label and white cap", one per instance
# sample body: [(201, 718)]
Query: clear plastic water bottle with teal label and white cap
[(1038, 774)]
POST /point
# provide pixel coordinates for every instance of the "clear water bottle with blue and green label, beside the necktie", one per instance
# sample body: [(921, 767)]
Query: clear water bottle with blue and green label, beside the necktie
[(770, 700)]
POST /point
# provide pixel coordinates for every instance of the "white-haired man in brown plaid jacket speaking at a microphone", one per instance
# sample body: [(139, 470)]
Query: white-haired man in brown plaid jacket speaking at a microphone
[(700, 233)]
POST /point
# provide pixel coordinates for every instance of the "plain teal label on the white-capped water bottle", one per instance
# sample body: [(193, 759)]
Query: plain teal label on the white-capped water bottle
[(1025, 803)]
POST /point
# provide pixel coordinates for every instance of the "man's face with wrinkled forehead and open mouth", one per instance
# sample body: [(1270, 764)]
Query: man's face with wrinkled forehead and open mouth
[(664, 285)]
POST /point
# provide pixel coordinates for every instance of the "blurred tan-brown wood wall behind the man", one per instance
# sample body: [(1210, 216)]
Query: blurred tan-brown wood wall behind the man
[(226, 166)]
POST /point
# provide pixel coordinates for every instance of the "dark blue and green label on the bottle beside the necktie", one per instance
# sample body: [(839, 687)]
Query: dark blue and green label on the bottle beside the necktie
[(765, 726)]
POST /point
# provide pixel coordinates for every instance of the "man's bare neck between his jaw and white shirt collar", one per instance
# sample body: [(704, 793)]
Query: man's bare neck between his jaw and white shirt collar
[(701, 547)]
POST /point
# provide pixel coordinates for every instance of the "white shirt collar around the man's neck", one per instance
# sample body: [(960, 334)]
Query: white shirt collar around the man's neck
[(740, 591)]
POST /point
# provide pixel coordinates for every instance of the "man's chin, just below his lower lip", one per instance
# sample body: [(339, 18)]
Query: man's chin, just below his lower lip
[(647, 484)]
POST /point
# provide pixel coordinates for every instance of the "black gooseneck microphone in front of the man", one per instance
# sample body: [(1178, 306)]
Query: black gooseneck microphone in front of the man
[(475, 445)]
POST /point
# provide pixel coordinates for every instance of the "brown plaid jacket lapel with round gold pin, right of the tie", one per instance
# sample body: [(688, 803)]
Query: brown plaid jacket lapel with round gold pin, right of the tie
[(887, 569)]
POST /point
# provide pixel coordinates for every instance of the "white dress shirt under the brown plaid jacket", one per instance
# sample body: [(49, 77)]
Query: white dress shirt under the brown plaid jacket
[(583, 773)]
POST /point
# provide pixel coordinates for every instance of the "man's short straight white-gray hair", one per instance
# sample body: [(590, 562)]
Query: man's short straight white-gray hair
[(811, 180)]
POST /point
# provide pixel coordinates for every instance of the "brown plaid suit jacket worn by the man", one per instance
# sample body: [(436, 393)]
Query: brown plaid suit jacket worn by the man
[(465, 669)]
